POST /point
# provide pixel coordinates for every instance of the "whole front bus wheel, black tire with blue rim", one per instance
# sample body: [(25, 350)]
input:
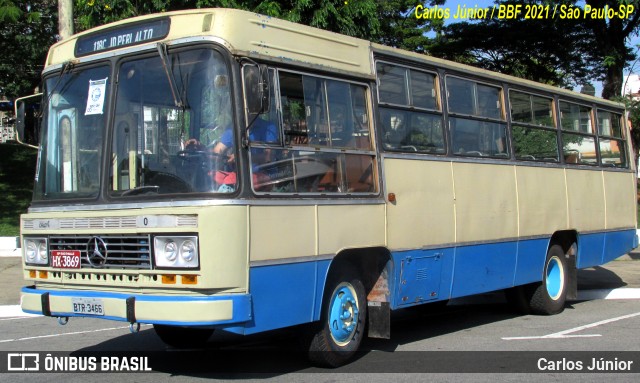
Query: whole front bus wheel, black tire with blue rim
[(343, 320)]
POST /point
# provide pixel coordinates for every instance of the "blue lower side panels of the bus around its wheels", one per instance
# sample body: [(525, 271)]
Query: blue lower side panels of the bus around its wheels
[(288, 294)]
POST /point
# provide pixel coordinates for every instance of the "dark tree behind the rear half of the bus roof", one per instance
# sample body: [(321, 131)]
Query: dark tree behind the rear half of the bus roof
[(558, 51)]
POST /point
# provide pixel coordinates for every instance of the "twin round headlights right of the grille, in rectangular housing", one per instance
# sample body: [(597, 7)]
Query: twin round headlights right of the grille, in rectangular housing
[(178, 252)]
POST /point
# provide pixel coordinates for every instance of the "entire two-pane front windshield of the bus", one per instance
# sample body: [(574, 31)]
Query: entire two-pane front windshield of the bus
[(170, 113)]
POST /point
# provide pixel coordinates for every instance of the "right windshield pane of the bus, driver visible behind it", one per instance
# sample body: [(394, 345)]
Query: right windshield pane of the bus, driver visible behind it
[(171, 113)]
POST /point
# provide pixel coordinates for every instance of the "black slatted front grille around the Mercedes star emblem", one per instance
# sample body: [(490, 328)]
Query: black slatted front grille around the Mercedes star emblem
[(123, 251)]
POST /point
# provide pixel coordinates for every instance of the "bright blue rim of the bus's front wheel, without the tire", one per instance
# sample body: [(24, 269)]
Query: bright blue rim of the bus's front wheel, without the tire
[(343, 314)]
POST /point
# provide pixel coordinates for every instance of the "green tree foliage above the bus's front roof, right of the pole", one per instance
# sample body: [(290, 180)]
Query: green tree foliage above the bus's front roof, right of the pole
[(389, 22)]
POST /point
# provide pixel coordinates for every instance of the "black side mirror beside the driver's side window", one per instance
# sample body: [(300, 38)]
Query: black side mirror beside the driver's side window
[(256, 89)]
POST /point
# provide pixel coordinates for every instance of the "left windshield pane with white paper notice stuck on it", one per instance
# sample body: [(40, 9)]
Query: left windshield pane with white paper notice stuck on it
[(70, 154)]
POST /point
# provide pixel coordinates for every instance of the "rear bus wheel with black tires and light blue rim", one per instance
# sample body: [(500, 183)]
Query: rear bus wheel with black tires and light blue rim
[(549, 296)]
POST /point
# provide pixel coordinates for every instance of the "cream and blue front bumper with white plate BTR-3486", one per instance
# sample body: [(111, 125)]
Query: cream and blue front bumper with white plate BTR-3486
[(218, 310)]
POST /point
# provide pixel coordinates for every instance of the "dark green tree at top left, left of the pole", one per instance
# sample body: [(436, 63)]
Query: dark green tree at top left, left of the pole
[(27, 28)]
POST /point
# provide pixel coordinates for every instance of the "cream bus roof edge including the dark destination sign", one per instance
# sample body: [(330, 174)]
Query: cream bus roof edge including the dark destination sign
[(250, 34)]
